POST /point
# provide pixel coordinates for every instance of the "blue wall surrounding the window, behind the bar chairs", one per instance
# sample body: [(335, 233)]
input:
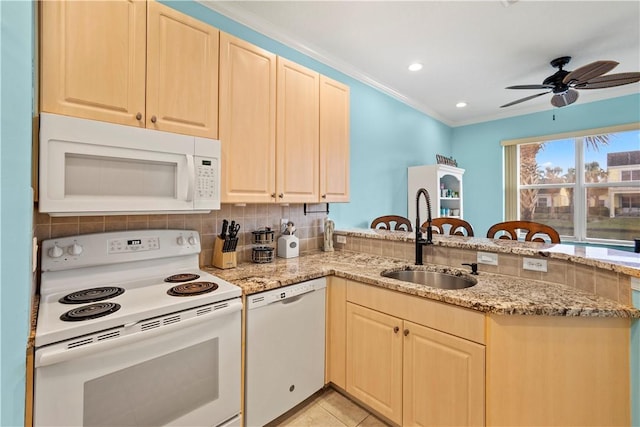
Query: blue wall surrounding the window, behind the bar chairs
[(477, 148)]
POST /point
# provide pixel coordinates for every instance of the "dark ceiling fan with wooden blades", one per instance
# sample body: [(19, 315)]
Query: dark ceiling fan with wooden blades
[(564, 83)]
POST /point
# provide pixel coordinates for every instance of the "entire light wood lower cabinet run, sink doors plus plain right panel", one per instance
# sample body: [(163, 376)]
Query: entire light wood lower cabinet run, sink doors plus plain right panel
[(420, 362)]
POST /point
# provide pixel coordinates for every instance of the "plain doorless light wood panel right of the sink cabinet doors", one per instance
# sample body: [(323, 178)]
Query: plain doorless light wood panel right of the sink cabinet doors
[(558, 371)]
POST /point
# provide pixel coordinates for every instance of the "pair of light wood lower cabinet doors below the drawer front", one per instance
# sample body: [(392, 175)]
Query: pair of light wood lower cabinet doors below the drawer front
[(411, 374)]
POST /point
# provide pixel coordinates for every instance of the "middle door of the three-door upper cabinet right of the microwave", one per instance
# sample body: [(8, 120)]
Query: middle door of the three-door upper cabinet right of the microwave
[(297, 152)]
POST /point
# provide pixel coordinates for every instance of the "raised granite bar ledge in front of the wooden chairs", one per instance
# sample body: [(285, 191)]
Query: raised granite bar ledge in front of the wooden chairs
[(594, 256)]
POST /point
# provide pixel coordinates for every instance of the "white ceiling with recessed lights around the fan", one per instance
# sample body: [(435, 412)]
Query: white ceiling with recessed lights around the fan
[(471, 50)]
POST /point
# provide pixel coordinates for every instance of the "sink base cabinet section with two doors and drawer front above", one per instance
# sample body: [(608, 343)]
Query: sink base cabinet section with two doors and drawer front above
[(408, 372)]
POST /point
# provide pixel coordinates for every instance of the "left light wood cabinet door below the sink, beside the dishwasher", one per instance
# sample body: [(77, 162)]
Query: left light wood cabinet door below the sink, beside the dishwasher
[(374, 360)]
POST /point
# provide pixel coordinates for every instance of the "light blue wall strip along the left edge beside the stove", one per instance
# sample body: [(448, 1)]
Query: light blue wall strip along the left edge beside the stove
[(16, 47)]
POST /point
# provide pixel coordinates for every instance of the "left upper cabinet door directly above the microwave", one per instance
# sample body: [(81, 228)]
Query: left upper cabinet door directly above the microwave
[(93, 60)]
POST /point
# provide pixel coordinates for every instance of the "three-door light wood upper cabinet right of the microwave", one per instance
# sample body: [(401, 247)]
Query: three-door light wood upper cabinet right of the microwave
[(272, 115)]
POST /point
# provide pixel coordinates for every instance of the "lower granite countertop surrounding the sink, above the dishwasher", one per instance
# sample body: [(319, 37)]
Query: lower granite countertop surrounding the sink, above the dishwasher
[(493, 293)]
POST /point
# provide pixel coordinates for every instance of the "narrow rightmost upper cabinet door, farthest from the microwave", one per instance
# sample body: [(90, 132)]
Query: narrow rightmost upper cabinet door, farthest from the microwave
[(334, 141)]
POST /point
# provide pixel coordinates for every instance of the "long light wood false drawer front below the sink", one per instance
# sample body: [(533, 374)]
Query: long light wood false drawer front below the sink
[(457, 321)]
